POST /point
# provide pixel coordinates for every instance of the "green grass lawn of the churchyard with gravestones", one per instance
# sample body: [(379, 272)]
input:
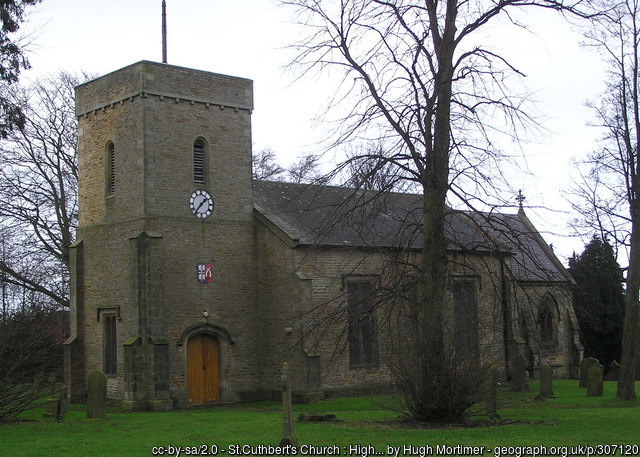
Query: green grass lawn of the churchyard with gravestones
[(570, 419)]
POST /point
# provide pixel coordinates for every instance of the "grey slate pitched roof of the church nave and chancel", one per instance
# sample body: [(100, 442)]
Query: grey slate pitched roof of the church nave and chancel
[(342, 217)]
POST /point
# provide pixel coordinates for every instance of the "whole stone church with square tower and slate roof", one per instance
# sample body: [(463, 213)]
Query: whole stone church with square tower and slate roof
[(193, 283)]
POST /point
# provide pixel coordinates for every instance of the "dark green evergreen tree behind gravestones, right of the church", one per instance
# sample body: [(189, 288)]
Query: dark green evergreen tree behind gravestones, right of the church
[(598, 300)]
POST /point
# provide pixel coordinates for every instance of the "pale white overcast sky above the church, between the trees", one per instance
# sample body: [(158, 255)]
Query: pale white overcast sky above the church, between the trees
[(251, 39)]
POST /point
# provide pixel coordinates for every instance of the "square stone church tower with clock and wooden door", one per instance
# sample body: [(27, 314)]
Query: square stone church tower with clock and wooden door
[(163, 289)]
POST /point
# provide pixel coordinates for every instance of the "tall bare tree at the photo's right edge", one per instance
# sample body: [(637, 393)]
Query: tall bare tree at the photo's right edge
[(609, 192)]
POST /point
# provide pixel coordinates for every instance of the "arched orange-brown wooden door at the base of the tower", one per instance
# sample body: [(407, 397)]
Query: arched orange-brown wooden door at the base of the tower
[(203, 368)]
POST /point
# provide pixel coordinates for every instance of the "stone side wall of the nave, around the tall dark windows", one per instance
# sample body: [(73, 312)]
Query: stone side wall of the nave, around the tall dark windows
[(300, 287)]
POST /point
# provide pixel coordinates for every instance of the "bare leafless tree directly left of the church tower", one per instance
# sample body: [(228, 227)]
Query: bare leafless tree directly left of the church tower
[(38, 189)]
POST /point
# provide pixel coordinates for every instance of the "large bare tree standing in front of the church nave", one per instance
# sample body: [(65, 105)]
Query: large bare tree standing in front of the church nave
[(418, 81)]
